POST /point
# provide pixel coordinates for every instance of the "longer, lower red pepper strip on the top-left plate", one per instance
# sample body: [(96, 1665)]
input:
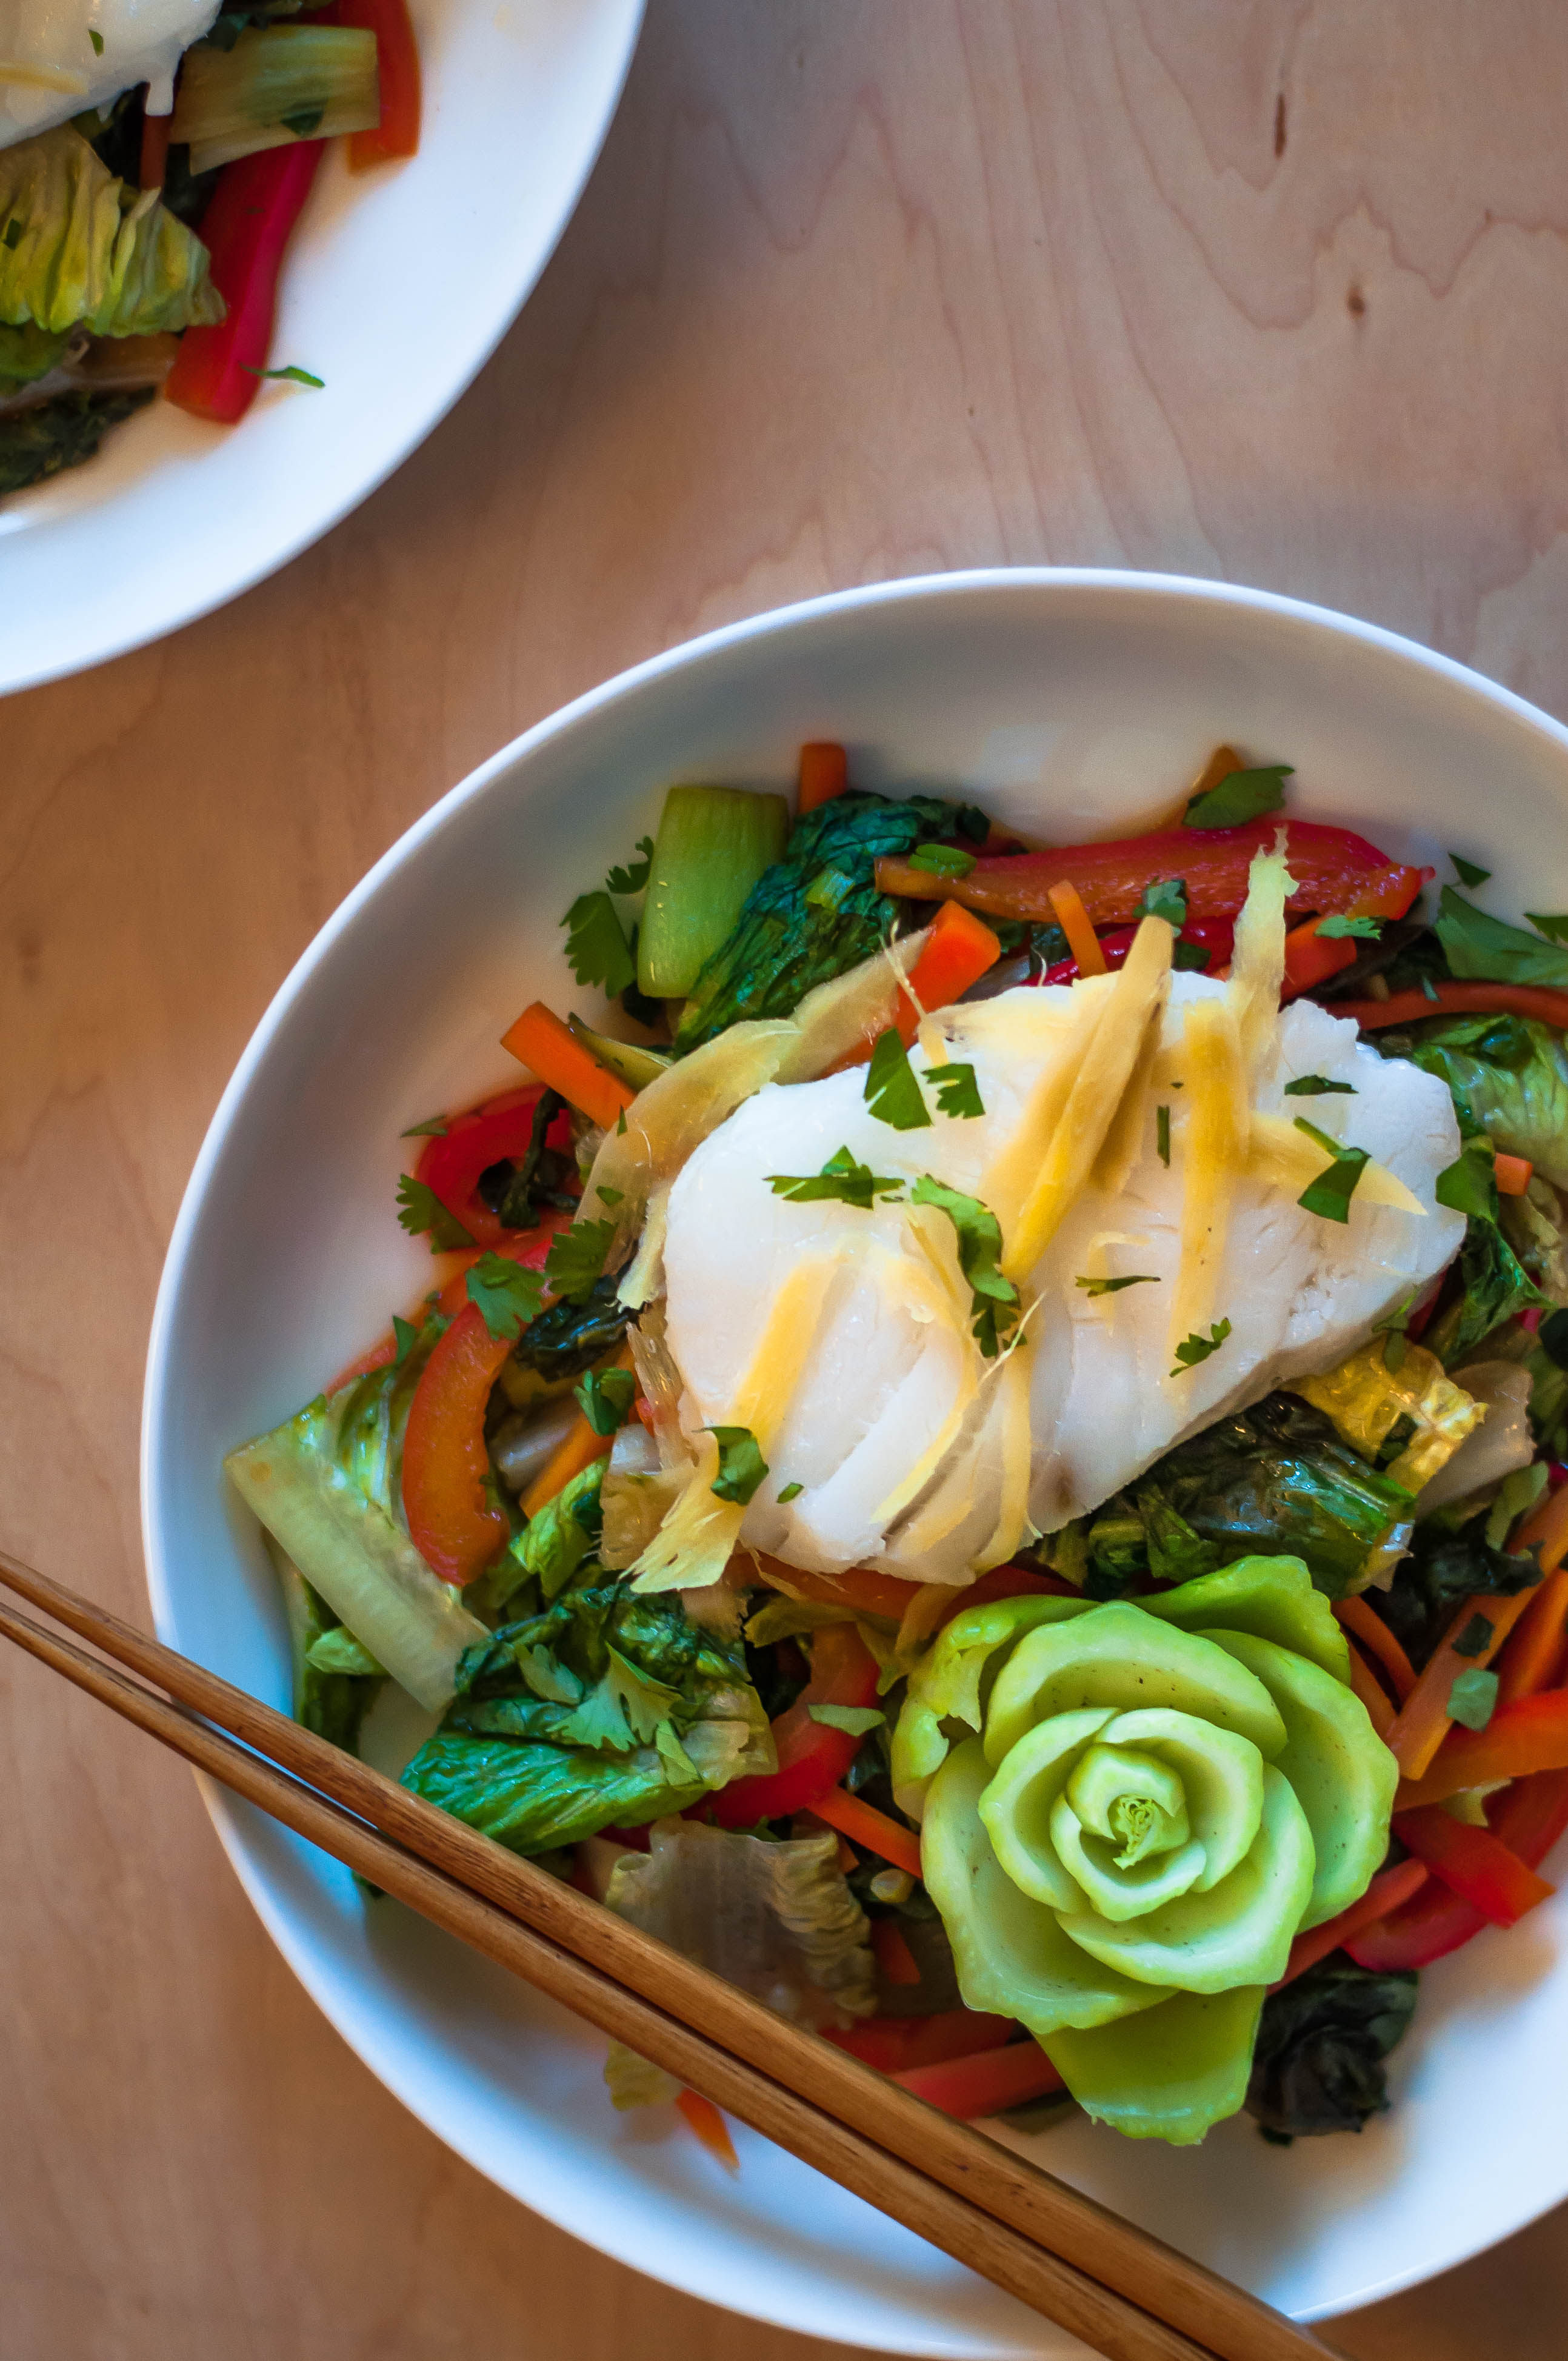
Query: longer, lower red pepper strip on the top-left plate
[(247, 228)]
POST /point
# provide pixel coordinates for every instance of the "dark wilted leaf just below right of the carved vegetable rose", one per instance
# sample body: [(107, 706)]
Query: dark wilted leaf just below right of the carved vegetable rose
[(1319, 2062)]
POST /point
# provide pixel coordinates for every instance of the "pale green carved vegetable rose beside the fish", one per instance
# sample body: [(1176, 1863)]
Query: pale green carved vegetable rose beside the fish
[(1130, 1812)]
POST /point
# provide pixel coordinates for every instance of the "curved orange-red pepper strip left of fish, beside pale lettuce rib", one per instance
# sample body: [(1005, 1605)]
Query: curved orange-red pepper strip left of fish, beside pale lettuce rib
[(452, 1524)]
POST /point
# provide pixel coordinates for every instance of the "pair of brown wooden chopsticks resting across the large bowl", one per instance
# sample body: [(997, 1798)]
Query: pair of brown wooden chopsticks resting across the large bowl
[(1069, 2258)]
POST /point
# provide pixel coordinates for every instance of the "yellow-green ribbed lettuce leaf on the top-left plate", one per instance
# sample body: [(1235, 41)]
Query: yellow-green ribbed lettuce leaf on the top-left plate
[(91, 251)]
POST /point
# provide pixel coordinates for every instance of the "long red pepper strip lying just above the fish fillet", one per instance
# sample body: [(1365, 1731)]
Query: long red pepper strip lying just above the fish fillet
[(1328, 865)]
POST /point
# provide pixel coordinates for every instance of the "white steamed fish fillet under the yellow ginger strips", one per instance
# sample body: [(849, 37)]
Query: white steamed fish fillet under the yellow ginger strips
[(899, 1432)]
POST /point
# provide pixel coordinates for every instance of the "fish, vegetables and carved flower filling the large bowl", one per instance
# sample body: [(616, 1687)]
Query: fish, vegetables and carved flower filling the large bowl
[(986, 1448)]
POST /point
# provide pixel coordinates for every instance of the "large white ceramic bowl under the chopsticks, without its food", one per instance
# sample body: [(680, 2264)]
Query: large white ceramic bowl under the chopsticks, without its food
[(1069, 705)]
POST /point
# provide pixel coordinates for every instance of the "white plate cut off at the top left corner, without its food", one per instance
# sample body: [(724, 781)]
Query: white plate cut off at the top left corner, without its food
[(398, 287)]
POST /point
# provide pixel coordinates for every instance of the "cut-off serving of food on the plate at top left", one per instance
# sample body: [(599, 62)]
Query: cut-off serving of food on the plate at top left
[(152, 166)]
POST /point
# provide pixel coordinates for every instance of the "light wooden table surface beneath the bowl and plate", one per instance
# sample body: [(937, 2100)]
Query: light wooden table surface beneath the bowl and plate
[(1260, 289)]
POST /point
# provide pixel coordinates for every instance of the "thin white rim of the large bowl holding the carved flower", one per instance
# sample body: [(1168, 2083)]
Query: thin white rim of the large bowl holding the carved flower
[(778, 622)]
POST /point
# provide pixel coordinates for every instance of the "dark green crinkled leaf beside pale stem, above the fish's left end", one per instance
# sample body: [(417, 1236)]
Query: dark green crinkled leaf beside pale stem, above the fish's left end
[(785, 943)]
